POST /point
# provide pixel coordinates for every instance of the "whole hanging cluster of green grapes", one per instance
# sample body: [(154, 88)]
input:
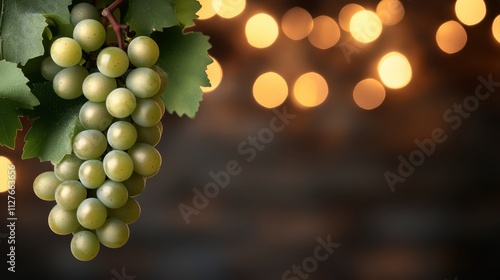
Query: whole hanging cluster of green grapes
[(95, 187)]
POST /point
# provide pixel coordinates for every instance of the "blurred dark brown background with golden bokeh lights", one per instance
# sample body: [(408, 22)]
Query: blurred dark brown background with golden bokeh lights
[(321, 106)]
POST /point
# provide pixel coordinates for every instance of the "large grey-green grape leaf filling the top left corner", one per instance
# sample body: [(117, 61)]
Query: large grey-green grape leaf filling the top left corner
[(23, 22)]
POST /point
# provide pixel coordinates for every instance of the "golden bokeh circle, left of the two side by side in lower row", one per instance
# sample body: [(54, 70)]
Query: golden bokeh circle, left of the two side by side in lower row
[(270, 90)]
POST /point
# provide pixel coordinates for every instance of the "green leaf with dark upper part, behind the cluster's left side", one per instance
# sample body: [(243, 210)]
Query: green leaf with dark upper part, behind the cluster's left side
[(51, 134)]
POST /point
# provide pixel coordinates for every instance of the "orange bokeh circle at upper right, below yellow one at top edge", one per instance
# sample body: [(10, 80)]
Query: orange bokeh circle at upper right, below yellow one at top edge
[(451, 37)]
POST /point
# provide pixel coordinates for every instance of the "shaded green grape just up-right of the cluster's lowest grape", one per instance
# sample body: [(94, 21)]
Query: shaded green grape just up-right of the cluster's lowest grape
[(114, 233)]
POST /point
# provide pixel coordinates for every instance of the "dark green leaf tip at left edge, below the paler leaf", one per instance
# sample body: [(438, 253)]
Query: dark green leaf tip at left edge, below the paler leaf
[(9, 123)]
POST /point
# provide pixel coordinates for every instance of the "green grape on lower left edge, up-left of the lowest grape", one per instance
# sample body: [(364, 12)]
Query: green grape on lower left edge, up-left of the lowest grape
[(62, 222)]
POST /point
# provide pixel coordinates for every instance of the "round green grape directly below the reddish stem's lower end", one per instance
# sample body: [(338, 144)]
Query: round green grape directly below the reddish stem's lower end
[(112, 62)]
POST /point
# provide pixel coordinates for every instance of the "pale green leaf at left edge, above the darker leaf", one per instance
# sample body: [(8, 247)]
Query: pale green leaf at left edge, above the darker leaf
[(14, 86)]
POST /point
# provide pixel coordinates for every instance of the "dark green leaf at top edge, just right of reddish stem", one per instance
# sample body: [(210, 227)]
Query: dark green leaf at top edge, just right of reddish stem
[(146, 16)]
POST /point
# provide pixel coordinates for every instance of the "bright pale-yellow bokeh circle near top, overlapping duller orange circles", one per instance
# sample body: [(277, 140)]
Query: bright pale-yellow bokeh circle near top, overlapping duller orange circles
[(365, 26)]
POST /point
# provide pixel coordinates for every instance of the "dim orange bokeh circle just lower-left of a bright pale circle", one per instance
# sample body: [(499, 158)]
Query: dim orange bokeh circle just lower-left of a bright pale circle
[(368, 94)]
